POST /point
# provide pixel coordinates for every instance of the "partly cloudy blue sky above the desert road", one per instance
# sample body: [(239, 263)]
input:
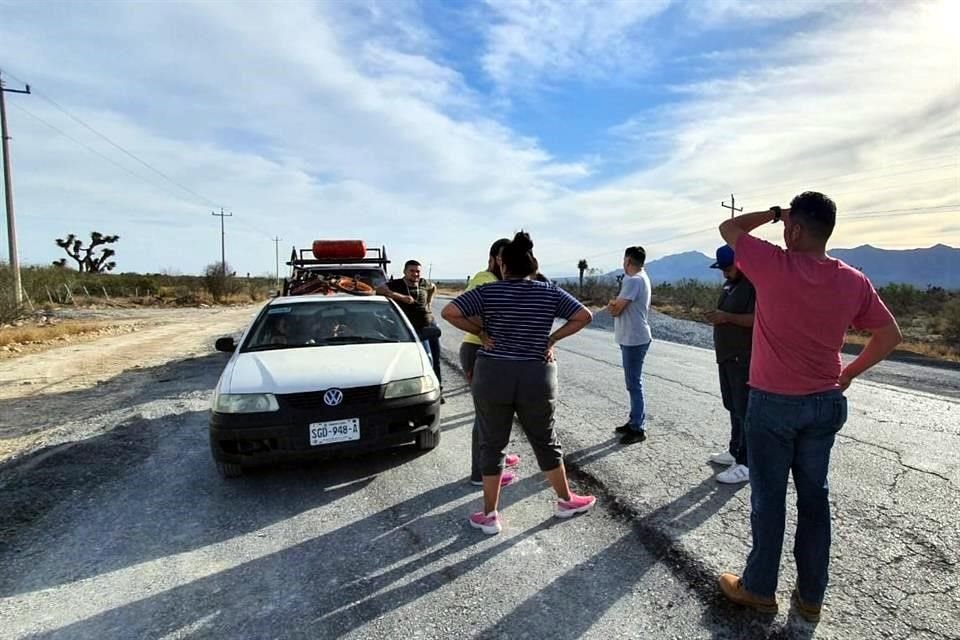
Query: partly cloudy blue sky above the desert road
[(436, 127)]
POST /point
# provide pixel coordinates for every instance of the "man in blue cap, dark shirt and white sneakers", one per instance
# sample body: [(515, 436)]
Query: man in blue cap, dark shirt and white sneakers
[(732, 342)]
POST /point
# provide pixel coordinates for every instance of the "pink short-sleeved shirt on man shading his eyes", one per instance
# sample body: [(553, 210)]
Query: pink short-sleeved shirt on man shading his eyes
[(804, 307)]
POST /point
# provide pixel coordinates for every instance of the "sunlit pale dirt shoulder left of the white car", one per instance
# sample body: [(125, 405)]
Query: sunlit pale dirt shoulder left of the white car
[(45, 390)]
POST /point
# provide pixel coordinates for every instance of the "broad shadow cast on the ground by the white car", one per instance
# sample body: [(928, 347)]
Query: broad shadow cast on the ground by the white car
[(146, 489)]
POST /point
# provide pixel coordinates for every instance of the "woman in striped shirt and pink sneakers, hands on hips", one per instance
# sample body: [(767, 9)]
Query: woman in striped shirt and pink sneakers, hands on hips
[(515, 372)]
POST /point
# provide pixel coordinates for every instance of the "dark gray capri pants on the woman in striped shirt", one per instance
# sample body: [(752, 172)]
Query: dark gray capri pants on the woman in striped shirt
[(527, 388)]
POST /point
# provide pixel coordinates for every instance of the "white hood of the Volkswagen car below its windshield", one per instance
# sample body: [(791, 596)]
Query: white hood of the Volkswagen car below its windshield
[(306, 369)]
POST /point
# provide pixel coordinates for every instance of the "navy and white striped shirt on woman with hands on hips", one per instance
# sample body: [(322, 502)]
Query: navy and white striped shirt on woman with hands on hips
[(518, 315)]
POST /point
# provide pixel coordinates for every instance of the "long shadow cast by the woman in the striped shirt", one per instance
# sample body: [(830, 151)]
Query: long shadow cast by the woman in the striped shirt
[(323, 587)]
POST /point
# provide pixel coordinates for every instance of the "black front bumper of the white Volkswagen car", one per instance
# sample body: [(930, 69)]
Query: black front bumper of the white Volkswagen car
[(262, 438)]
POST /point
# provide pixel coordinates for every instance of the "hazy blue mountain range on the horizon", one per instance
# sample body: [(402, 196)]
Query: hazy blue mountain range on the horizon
[(937, 266)]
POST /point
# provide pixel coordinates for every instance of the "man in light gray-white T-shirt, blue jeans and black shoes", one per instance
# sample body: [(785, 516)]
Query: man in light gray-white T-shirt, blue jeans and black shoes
[(632, 332)]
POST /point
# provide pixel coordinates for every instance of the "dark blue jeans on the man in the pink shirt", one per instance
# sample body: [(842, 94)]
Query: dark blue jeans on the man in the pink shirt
[(784, 434)]
